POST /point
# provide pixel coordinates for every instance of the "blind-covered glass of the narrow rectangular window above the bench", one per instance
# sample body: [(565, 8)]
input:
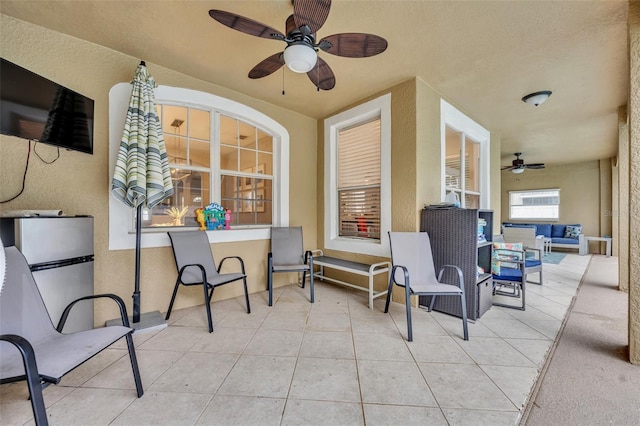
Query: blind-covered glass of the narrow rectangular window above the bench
[(359, 180)]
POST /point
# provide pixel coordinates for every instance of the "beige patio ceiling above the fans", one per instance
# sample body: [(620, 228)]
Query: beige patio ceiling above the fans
[(483, 56)]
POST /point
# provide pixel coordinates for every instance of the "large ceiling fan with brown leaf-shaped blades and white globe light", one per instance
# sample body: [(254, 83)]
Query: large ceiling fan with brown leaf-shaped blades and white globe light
[(301, 53)]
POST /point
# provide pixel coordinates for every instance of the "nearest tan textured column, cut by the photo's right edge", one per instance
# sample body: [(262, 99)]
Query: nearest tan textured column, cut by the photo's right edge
[(634, 187)]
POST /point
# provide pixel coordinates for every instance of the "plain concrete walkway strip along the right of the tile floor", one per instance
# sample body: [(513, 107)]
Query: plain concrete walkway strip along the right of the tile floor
[(589, 380)]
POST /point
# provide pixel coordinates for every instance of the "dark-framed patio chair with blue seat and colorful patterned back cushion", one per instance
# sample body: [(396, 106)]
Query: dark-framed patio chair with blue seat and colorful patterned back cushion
[(508, 268)]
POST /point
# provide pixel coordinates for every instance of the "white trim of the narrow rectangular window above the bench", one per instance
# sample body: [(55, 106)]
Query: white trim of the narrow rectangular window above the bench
[(377, 107)]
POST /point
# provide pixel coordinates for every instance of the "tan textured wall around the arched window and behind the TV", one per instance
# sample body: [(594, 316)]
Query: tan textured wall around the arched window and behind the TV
[(79, 183)]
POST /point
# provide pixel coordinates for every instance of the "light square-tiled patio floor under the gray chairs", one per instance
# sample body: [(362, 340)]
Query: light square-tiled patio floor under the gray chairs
[(331, 363)]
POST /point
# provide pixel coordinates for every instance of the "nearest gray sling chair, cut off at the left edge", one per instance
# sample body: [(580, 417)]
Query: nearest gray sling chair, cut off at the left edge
[(32, 349)]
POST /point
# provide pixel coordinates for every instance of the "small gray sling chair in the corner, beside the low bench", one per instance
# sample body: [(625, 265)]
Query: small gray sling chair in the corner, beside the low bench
[(287, 255)]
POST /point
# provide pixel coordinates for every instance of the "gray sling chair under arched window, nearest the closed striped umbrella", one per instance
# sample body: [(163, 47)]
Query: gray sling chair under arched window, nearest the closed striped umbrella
[(196, 266)]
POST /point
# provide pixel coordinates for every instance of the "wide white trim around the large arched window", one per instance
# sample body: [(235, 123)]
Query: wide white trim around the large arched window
[(121, 227)]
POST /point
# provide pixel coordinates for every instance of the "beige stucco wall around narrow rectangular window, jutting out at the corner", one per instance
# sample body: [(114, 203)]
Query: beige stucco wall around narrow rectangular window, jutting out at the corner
[(415, 165)]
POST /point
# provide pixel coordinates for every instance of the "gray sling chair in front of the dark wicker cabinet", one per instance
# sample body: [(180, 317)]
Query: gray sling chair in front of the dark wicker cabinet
[(413, 269)]
